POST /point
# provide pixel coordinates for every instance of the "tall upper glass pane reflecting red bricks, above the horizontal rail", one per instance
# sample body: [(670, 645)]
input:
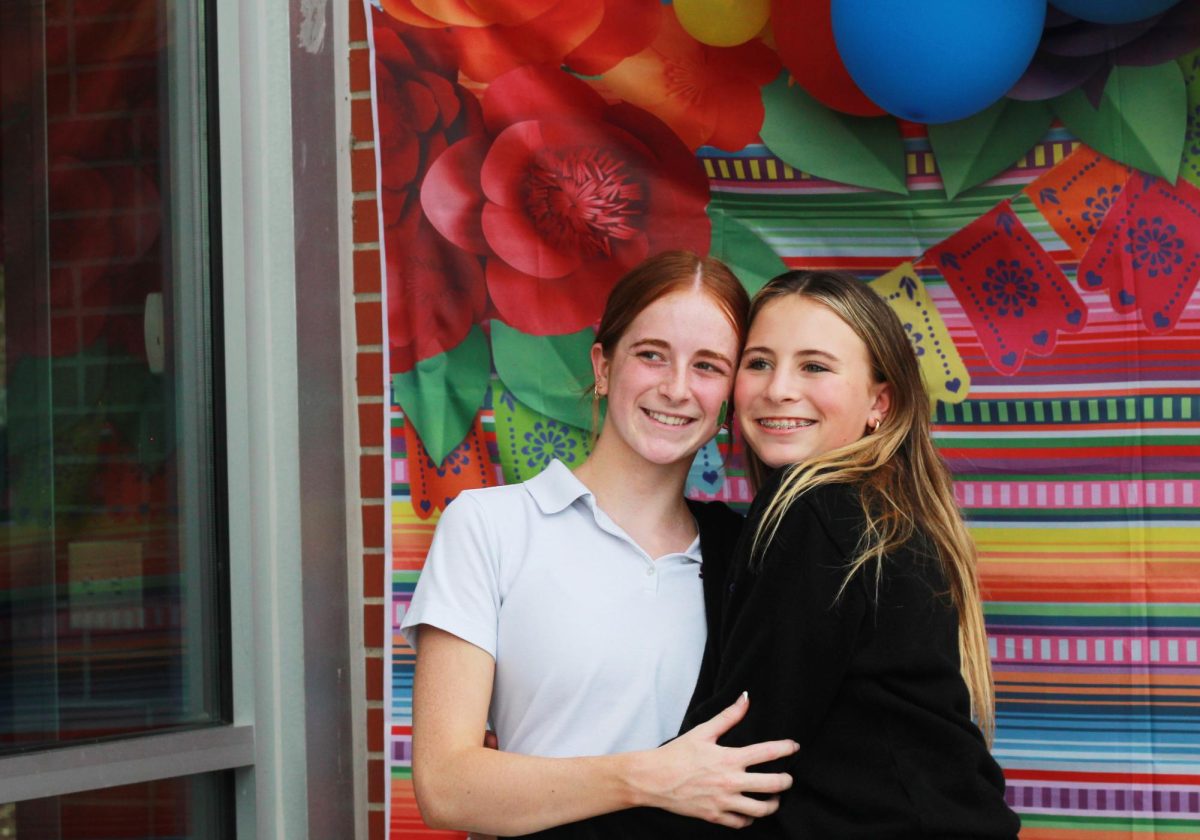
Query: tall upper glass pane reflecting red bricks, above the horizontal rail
[(110, 608)]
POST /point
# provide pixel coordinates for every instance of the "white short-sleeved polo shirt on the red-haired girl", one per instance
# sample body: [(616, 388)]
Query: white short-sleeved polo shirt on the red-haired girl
[(597, 645)]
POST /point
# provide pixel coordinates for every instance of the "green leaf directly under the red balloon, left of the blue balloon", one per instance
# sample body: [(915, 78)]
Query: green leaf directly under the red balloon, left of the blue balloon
[(866, 152)]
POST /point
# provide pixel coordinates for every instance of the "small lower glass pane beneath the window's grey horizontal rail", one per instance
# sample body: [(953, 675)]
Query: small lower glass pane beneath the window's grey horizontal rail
[(196, 808)]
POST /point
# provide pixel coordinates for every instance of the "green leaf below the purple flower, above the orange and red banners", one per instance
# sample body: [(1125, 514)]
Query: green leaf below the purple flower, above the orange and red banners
[(1142, 119)]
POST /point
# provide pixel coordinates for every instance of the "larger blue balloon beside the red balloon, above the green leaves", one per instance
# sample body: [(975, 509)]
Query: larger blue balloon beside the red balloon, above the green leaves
[(937, 61)]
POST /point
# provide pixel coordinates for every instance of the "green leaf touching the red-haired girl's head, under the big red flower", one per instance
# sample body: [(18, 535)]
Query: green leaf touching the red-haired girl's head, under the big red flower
[(548, 374)]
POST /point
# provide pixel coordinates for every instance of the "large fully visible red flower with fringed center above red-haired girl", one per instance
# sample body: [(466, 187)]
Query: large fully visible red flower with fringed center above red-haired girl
[(562, 196)]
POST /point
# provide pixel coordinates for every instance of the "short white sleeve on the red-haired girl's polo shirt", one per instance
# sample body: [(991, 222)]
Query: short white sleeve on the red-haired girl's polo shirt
[(459, 587)]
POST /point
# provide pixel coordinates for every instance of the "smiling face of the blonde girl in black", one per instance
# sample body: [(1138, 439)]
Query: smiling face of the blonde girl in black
[(805, 386)]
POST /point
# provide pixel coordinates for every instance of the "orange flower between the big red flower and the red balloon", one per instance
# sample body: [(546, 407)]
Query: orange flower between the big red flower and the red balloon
[(709, 95)]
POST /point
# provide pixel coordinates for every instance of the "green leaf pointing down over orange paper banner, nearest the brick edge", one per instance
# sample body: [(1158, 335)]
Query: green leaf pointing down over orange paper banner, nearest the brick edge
[(442, 394)]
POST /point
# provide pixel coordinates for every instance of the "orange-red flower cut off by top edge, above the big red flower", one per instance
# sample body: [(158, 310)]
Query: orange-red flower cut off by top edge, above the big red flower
[(494, 38)]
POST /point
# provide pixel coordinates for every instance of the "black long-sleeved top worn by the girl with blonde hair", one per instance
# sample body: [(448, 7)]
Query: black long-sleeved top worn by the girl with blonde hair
[(867, 681)]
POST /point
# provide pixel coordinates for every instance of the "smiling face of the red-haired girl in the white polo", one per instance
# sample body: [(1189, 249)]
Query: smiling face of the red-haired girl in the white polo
[(668, 379)]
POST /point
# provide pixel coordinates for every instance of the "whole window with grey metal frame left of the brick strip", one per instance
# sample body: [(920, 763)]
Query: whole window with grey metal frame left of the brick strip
[(173, 631)]
